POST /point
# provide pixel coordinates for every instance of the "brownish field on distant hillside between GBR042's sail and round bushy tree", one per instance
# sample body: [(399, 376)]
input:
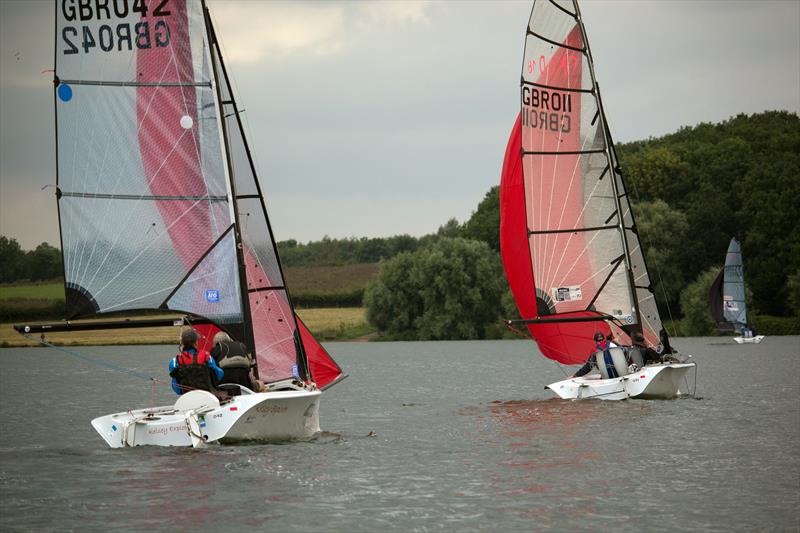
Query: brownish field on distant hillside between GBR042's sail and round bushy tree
[(330, 278)]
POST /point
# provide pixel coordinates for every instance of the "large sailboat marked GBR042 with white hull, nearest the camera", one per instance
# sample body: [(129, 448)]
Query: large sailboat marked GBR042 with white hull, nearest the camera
[(160, 209)]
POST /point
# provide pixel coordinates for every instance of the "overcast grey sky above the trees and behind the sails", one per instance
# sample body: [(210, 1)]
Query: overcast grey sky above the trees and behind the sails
[(384, 118)]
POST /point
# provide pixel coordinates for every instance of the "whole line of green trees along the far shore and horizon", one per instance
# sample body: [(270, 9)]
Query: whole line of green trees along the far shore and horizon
[(691, 192)]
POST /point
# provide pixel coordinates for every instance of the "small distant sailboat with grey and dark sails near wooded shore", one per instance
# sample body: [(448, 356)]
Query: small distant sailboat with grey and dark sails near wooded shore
[(727, 300)]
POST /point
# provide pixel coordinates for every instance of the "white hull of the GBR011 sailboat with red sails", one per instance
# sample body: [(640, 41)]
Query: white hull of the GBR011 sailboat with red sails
[(650, 382)]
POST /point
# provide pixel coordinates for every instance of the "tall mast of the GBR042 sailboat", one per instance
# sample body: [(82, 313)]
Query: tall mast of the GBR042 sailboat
[(244, 294)]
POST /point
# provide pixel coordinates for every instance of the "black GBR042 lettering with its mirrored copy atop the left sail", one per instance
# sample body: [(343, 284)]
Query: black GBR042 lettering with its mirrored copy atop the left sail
[(109, 37)]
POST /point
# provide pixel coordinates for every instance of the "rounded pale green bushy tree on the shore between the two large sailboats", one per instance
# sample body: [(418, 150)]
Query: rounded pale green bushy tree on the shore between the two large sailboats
[(450, 289)]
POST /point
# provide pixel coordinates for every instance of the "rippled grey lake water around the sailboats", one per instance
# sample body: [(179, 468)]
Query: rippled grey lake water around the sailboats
[(466, 439)]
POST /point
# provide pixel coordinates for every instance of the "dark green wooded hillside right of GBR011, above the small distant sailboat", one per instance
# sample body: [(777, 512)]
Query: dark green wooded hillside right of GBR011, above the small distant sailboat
[(737, 178)]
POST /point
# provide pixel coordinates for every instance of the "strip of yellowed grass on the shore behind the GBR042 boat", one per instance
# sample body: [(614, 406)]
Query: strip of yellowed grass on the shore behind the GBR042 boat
[(326, 324)]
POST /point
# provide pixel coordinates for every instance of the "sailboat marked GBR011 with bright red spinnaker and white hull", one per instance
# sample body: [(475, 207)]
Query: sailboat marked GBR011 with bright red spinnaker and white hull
[(569, 243)]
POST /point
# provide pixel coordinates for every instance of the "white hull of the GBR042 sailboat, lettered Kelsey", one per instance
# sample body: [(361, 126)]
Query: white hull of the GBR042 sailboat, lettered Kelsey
[(198, 417)]
